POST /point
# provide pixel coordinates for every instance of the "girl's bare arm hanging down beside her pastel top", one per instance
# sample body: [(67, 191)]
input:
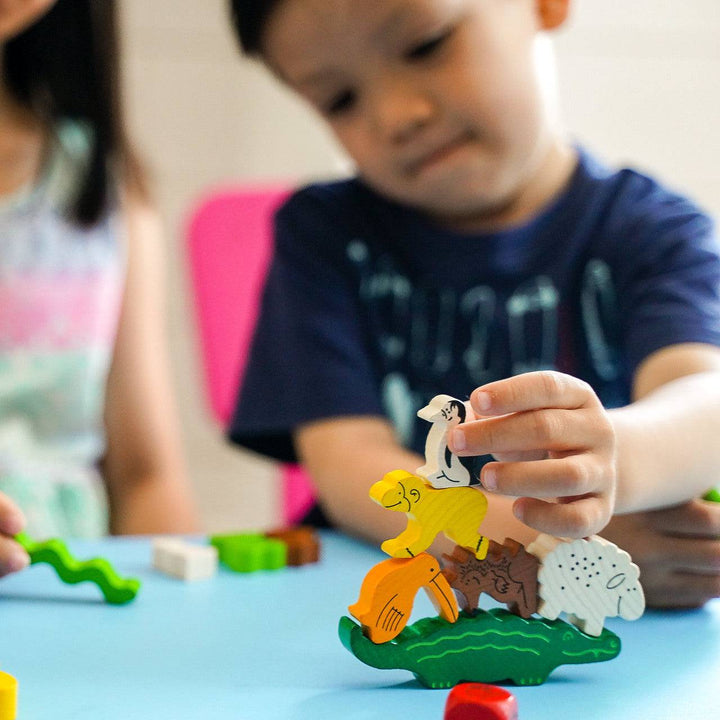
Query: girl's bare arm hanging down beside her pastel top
[(143, 467)]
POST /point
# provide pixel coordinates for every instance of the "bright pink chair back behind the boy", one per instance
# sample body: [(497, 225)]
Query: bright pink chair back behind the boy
[(230, 247)]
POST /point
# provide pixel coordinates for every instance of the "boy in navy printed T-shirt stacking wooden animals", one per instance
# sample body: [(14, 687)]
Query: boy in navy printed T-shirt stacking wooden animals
[(478, 247)]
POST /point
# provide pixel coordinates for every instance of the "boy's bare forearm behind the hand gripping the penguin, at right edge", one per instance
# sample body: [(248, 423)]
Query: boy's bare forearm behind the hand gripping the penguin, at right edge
[(667, 444)]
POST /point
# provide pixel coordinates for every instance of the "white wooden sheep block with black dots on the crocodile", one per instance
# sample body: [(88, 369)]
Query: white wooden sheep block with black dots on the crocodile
[(588, 579)]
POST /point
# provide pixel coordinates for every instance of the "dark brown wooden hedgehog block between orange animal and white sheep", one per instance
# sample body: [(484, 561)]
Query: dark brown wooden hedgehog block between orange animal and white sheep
[(507, 573)]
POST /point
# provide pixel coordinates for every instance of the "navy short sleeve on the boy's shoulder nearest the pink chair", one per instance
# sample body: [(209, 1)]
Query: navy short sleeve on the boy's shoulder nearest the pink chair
[(309, 358)]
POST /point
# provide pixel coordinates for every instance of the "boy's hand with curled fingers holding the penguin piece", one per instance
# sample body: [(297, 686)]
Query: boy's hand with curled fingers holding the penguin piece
[(555, 448)]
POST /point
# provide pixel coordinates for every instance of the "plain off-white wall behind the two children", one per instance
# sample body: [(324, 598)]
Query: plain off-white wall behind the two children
[(639, 82)]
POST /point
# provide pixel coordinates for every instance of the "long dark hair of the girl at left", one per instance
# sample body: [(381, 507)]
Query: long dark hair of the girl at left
[(66, 66)]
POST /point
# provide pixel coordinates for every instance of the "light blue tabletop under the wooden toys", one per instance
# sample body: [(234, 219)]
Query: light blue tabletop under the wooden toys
[(265, 645)]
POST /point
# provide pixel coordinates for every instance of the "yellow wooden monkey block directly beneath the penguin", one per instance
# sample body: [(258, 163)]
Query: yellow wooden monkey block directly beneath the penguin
[(457, 512)]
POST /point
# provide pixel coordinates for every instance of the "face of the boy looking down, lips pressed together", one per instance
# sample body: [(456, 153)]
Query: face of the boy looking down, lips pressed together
[(438, 101)]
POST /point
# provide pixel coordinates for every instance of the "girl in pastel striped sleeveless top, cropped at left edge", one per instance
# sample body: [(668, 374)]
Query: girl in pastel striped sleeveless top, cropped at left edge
[(87, 438)]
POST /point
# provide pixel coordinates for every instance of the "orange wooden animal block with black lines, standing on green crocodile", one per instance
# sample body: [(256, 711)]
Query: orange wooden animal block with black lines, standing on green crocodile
[(388, 592)]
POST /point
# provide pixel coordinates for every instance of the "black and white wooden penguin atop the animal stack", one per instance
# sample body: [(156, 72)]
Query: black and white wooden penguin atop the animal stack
[(442, 468)]
